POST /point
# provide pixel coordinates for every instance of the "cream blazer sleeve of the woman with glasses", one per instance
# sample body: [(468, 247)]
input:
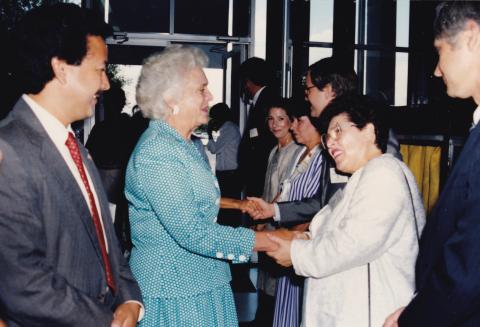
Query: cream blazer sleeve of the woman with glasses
[(369, 225)]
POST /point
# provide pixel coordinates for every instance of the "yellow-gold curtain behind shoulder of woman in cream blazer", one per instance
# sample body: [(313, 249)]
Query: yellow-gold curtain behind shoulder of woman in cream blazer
[(424, 162)]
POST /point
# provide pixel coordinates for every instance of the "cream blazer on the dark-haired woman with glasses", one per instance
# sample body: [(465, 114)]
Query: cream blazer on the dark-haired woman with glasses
[(363, 248)]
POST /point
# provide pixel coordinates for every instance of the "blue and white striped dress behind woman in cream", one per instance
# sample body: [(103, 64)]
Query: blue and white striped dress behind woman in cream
[(303, 183)]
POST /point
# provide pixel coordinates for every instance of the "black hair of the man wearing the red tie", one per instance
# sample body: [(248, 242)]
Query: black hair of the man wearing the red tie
[(47, 32)]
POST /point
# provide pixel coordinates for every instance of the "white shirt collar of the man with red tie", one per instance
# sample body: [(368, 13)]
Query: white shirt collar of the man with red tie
[(54, 128)]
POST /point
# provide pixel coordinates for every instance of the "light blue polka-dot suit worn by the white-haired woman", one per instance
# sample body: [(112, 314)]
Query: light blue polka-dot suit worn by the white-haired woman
[(180, 253)]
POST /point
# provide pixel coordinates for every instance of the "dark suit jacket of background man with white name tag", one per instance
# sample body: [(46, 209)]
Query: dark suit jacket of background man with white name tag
[(254, 151)]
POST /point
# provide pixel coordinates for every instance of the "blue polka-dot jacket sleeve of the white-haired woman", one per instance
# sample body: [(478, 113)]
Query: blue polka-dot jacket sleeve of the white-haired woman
[(172, 193)]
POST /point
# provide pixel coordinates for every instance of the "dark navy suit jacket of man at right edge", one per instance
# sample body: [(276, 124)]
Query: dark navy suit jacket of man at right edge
[(448, 264)]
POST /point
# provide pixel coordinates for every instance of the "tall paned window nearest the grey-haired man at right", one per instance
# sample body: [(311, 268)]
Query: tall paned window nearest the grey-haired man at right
[(382, 49)]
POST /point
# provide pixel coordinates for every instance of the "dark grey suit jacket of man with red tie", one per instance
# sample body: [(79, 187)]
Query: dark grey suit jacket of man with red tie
[(51, 270)]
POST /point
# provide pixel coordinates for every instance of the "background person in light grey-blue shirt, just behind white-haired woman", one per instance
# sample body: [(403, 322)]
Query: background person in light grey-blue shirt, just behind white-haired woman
[(224, 139)]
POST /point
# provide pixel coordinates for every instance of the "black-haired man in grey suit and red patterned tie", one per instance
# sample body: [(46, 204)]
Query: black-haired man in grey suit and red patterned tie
[(60, 264)]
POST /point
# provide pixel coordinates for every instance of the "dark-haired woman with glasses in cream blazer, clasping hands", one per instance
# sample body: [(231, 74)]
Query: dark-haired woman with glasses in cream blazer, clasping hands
[(360, 251)]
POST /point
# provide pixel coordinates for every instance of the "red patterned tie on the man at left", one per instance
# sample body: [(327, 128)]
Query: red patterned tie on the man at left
[(72, 146)]
